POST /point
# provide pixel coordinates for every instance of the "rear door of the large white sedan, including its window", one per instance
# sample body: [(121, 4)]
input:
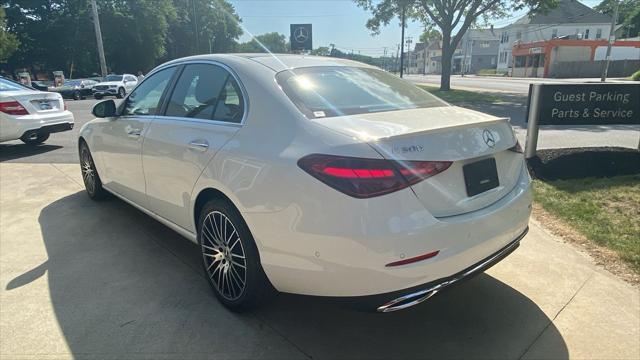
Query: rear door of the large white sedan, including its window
[(202, 114)]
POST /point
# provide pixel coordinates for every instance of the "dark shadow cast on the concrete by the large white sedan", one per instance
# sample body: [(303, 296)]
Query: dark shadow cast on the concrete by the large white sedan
[(123, 284)]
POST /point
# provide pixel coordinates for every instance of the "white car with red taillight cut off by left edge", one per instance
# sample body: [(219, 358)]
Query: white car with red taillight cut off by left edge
[(31, 115)]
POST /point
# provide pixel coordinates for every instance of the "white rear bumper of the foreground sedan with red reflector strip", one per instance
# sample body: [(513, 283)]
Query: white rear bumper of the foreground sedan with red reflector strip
[(317, 250)]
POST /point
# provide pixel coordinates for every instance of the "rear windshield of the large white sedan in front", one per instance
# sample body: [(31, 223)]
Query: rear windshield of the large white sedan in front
[(329, 91)]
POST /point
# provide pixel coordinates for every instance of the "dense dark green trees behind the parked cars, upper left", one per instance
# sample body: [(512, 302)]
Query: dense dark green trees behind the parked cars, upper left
[(137, 35)]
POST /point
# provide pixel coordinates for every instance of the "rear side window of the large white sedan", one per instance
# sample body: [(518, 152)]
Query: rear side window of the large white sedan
[(208, 92)]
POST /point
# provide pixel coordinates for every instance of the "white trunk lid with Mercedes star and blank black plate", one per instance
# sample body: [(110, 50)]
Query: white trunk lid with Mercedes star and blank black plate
[(483, 169)]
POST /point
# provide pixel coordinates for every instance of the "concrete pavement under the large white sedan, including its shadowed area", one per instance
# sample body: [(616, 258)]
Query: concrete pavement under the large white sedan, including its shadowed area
[(102, 280)]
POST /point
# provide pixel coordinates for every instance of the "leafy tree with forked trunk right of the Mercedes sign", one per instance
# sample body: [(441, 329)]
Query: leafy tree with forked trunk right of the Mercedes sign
[(447, 15)]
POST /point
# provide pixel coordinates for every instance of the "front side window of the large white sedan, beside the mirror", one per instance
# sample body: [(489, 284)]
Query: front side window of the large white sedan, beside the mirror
[(145, 99)]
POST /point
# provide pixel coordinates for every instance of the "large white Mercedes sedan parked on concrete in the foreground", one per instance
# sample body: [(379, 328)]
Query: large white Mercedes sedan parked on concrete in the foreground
[(312, 175)]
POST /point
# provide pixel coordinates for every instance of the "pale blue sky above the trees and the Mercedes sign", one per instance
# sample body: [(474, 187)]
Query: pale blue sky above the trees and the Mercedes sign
[(339, 22)]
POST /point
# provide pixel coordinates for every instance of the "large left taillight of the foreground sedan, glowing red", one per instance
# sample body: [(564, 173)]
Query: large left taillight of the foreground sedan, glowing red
[(364, 178)]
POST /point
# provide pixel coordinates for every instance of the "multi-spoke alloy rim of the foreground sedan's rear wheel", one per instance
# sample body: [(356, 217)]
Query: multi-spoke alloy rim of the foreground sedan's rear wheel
[(224, 255)]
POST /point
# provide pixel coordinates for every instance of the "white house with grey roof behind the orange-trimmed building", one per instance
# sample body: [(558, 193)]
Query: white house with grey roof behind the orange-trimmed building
[(570, 19)]
